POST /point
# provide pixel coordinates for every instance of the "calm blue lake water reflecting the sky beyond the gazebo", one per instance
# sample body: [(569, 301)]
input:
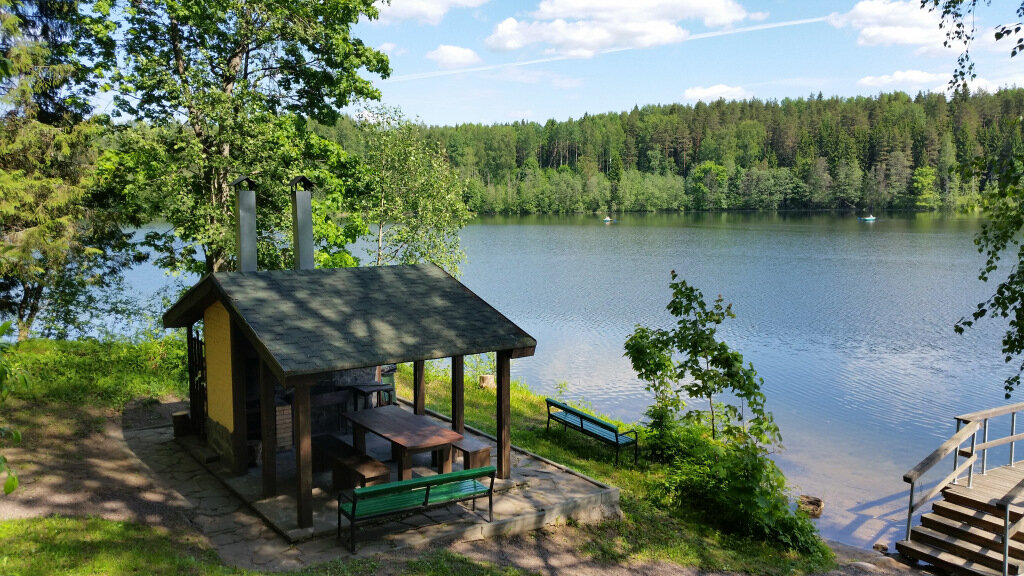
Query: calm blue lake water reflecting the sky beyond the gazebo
[(849, 323)]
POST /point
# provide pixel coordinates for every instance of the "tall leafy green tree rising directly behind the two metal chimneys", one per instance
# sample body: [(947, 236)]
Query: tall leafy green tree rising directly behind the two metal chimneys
[(229, 92)]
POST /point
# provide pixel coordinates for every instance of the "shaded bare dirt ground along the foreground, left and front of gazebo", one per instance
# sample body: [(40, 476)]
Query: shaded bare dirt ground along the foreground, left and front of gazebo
[(76, 462)]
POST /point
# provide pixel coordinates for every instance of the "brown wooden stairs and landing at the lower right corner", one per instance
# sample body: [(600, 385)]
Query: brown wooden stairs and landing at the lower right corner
[(963, 534)]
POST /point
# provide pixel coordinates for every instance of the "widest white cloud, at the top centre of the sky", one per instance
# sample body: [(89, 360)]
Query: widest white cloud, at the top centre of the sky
[(583, 28)]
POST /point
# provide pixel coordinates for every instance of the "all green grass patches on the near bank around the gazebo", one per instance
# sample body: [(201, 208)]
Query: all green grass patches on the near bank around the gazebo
[(72, 380)]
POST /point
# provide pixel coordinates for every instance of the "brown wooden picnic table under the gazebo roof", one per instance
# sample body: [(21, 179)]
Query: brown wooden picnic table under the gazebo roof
[(409, 434)]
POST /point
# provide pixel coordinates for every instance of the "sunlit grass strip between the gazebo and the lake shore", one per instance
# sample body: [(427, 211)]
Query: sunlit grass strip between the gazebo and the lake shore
[(648, 530)]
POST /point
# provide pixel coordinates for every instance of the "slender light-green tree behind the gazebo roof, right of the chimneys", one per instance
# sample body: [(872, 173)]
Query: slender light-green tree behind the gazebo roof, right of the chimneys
[(409, 195)]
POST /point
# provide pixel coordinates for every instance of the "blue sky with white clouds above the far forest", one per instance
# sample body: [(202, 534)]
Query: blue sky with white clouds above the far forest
[(496, 62)]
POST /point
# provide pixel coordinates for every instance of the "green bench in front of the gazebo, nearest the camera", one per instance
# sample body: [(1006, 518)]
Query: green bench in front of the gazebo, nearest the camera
[(364, 506)]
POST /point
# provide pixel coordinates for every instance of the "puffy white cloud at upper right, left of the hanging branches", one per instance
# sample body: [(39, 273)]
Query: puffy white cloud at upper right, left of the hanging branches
[(888, 23)]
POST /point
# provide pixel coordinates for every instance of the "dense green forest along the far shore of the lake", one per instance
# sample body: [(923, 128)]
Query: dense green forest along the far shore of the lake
[(887, 152)]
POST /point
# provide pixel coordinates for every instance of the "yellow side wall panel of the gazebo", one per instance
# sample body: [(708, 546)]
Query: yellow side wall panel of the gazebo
[(219, 365)]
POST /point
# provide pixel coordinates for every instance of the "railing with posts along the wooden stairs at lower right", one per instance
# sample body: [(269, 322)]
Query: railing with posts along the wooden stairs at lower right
[(968, 427)]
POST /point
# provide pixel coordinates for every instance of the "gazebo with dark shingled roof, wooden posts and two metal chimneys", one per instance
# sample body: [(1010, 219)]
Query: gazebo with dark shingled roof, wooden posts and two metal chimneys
[(272, 331)]
